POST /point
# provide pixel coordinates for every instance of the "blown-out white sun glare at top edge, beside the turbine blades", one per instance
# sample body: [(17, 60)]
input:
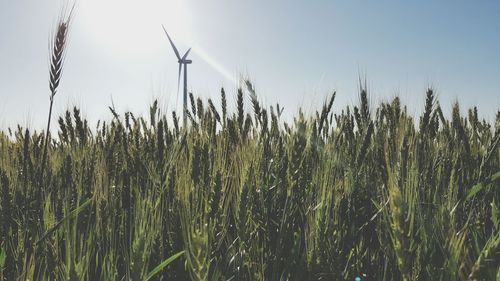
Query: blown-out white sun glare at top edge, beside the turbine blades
[(132, 27)]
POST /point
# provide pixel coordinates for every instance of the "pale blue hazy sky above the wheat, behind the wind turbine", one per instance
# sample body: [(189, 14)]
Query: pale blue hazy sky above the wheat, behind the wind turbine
[(296, 53)]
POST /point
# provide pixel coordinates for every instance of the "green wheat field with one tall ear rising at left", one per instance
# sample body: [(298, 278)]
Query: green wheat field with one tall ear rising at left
[(369, 192)]
